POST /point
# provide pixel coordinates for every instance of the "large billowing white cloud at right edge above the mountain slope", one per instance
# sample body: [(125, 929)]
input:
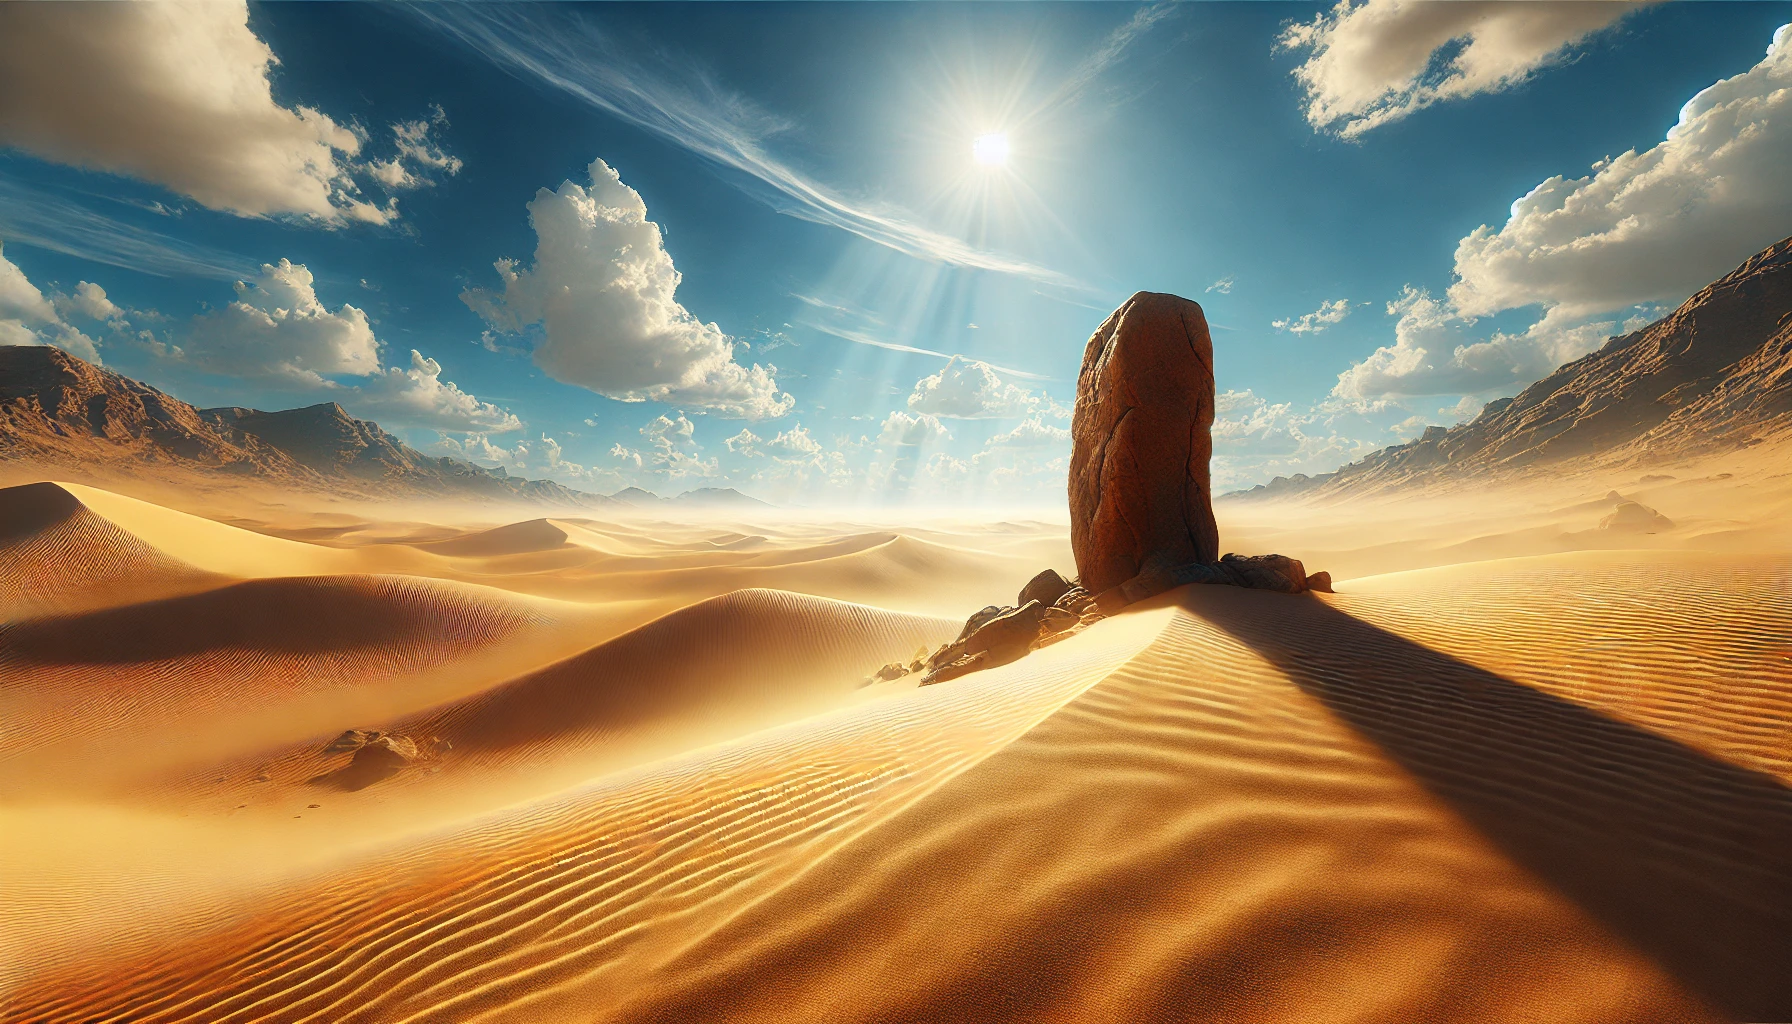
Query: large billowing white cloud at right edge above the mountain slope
[(1655, 225)]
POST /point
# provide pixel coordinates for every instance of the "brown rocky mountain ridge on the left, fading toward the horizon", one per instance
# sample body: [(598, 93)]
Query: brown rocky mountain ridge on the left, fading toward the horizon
[(60, 410)]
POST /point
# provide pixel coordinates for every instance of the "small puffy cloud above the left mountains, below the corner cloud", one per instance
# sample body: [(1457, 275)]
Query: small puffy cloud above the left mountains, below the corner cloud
[(279, 329)]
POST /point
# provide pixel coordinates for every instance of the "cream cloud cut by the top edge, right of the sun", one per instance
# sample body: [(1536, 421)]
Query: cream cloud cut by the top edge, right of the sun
[(1375, 62)]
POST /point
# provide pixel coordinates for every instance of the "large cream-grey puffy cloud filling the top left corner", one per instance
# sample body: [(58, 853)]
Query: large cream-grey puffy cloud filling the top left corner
[(178, 94)]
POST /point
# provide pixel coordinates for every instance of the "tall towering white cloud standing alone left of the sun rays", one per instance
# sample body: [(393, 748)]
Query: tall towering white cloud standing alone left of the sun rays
[(603, 290)]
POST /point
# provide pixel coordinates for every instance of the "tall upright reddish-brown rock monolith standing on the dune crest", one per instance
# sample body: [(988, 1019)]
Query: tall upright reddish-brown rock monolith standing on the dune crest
[(1141, 444)]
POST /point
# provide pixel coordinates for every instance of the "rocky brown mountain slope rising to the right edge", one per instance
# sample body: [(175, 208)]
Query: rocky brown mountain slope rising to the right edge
[(1714, 376)]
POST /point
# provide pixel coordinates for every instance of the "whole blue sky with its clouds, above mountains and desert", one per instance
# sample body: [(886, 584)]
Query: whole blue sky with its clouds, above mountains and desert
[(750, 245)]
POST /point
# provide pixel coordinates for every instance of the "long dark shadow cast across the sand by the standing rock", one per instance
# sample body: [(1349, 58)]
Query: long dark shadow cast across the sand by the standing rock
[(1685, 856)]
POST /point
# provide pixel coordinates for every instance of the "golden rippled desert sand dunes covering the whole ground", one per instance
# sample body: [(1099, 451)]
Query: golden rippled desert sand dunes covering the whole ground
[(1517, 768)]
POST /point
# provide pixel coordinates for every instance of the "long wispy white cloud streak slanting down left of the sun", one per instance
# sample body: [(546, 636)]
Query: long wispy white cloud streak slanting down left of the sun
[(689, 108)]
